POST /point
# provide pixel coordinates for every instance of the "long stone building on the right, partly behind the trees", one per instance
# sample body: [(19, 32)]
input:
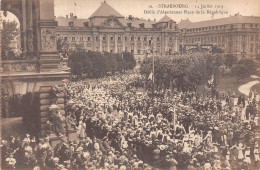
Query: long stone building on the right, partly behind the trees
[(237, 35)]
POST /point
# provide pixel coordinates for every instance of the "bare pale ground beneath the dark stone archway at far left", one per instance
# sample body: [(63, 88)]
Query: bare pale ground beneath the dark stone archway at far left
[(12, 126)]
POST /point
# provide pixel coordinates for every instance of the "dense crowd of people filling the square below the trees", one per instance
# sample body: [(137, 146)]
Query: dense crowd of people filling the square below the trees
[(122, 127)]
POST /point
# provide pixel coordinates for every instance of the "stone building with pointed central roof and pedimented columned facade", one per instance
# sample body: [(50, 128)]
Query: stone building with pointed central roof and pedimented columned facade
[(107, 30)]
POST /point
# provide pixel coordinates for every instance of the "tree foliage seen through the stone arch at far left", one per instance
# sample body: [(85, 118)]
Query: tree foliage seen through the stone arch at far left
[(9, 32)]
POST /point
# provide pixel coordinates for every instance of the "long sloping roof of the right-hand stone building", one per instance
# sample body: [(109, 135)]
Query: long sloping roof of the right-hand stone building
[(236, 19)]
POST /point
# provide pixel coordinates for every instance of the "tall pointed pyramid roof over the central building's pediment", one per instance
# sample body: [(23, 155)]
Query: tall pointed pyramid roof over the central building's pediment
[(106, 10)]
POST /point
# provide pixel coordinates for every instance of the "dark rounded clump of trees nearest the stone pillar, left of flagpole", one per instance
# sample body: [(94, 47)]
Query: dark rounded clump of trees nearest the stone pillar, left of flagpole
[(96, 64)]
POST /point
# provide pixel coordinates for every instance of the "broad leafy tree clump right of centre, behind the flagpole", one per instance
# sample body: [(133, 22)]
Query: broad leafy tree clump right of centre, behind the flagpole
[(186, 71)]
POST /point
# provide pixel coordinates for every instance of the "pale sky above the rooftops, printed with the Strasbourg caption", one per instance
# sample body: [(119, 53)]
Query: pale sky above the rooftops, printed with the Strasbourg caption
[(84, 8)]
